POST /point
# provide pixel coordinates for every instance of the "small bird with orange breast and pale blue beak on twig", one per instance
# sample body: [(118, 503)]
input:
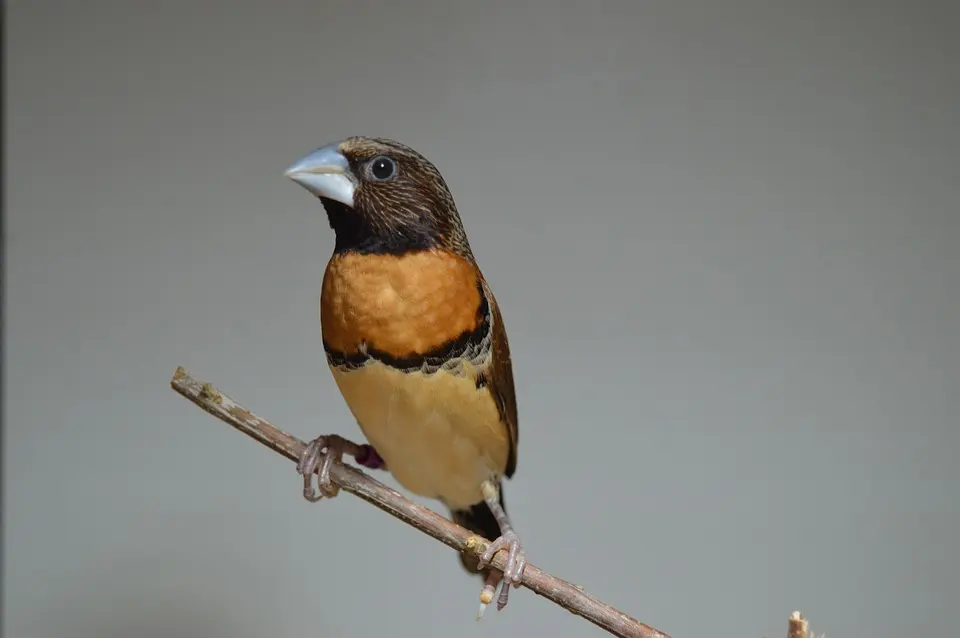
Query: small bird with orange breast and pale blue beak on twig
[(416, 344)]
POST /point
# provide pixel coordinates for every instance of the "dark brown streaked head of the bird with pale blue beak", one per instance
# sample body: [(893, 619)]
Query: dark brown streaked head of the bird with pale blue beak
[(381, 197)]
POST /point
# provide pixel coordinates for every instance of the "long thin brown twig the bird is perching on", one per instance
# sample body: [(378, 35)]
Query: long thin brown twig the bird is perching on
[(567, 595)]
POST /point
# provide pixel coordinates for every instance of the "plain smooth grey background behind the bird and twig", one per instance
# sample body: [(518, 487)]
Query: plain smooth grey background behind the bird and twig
[(724, 235)]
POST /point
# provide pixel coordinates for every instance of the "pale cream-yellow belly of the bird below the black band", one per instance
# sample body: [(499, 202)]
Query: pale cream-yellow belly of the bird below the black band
[(440, 436)]
